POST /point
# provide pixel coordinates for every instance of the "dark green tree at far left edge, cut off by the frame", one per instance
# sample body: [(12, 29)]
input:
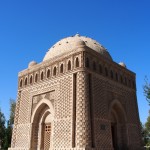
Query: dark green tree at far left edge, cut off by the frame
[(2, 130)]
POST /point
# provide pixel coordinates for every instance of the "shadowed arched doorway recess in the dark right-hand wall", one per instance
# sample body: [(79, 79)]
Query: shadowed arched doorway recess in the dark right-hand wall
[(117, 117)]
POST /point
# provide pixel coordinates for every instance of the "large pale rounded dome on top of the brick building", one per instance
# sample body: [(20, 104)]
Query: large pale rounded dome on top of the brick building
[(70, 43)]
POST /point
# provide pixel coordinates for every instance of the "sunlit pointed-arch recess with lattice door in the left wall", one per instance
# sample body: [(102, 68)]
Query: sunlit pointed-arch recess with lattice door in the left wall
[(42, 126)]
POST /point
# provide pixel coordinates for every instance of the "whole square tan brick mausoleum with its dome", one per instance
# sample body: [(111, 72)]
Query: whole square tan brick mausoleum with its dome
[(77, 98)]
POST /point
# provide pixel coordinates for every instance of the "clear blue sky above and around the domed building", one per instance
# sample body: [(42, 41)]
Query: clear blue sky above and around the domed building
[(28, 28)]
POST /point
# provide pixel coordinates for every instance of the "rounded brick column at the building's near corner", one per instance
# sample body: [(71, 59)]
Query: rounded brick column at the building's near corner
[(83, 122)]
